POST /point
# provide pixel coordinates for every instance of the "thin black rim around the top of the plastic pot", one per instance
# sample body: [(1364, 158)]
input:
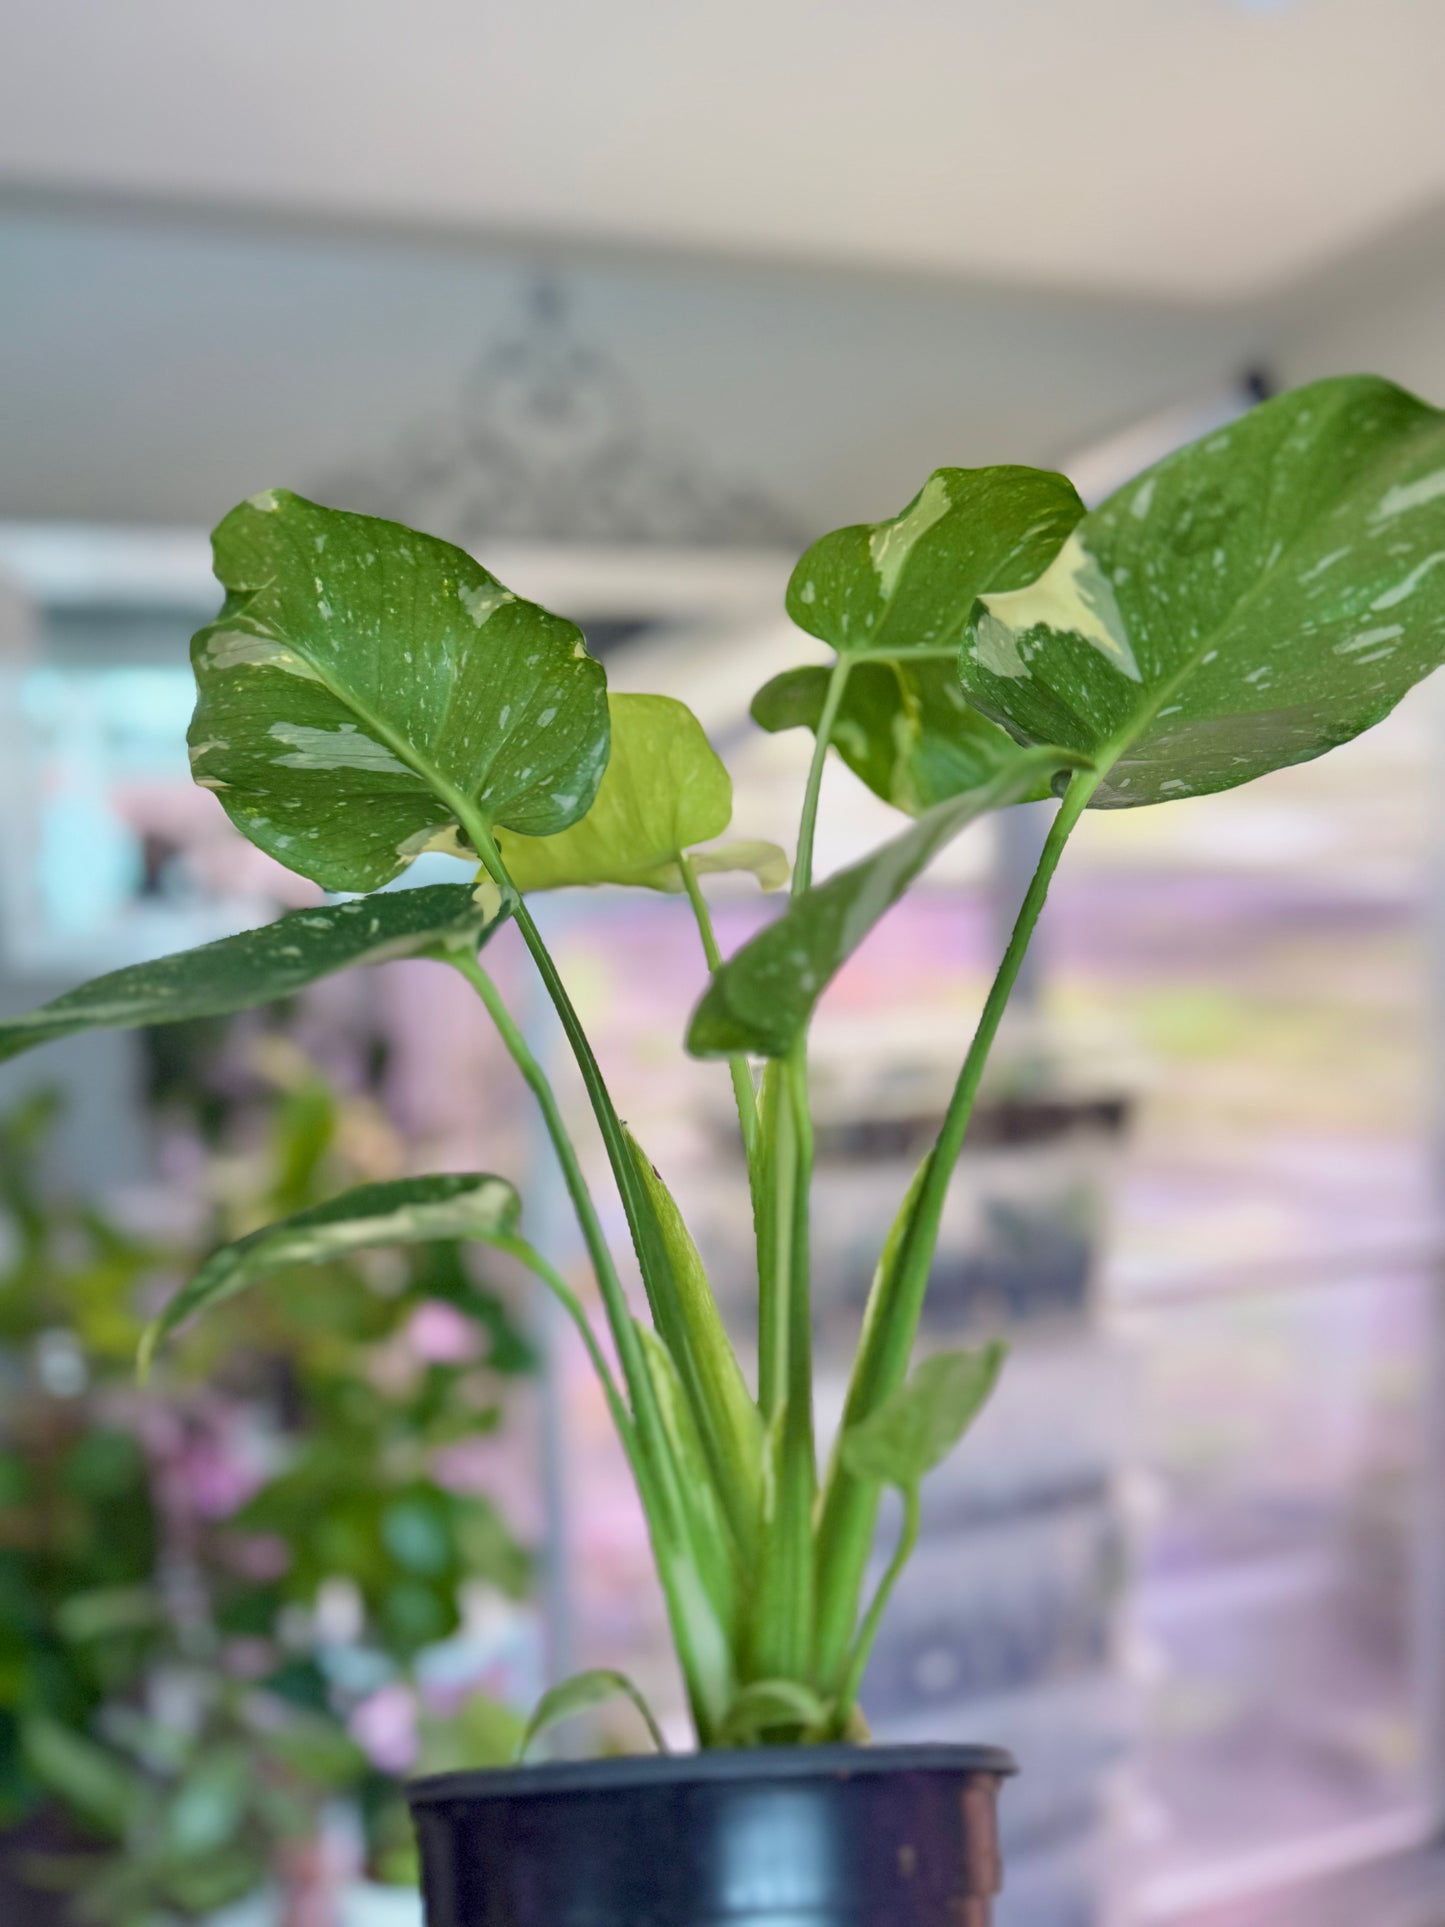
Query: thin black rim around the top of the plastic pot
[(760, 1764)]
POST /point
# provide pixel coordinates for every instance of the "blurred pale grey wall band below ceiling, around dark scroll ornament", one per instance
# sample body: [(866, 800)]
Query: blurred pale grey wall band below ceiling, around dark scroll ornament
[(161, 371)]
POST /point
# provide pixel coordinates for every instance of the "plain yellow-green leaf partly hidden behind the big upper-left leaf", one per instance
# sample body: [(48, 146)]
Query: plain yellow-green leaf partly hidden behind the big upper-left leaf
[(666, 789)]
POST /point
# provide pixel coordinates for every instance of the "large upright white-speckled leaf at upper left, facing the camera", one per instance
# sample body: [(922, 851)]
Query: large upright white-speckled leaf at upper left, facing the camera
[(367, 685)]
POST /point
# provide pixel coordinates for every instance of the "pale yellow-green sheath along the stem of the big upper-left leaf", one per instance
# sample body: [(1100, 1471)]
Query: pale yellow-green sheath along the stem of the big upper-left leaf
[(727, 1417)]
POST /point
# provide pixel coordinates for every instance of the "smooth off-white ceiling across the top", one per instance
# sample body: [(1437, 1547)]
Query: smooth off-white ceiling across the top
[(1186, 149)]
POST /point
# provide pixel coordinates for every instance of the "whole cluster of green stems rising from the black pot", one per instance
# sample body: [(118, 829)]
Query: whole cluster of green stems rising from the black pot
[(808, 1623)]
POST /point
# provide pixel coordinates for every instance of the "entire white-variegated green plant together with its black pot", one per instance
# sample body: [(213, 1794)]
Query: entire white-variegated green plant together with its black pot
[(369, 693)]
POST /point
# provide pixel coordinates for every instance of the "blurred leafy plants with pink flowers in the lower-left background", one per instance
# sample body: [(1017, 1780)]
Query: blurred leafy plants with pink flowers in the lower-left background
[(221, 1595)]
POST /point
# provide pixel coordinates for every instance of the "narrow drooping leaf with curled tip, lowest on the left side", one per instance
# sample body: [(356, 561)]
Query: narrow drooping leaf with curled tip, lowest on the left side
[(404, 1211)]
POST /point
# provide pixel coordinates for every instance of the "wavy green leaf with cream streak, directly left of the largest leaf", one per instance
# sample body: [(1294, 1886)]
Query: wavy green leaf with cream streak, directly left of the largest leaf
[(910, 583)]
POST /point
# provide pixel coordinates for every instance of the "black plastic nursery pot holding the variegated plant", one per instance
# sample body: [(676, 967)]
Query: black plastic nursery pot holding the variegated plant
[(777, 1837)]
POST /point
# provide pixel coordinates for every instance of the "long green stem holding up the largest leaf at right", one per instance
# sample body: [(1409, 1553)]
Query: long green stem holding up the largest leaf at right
[(851, 1506)]
